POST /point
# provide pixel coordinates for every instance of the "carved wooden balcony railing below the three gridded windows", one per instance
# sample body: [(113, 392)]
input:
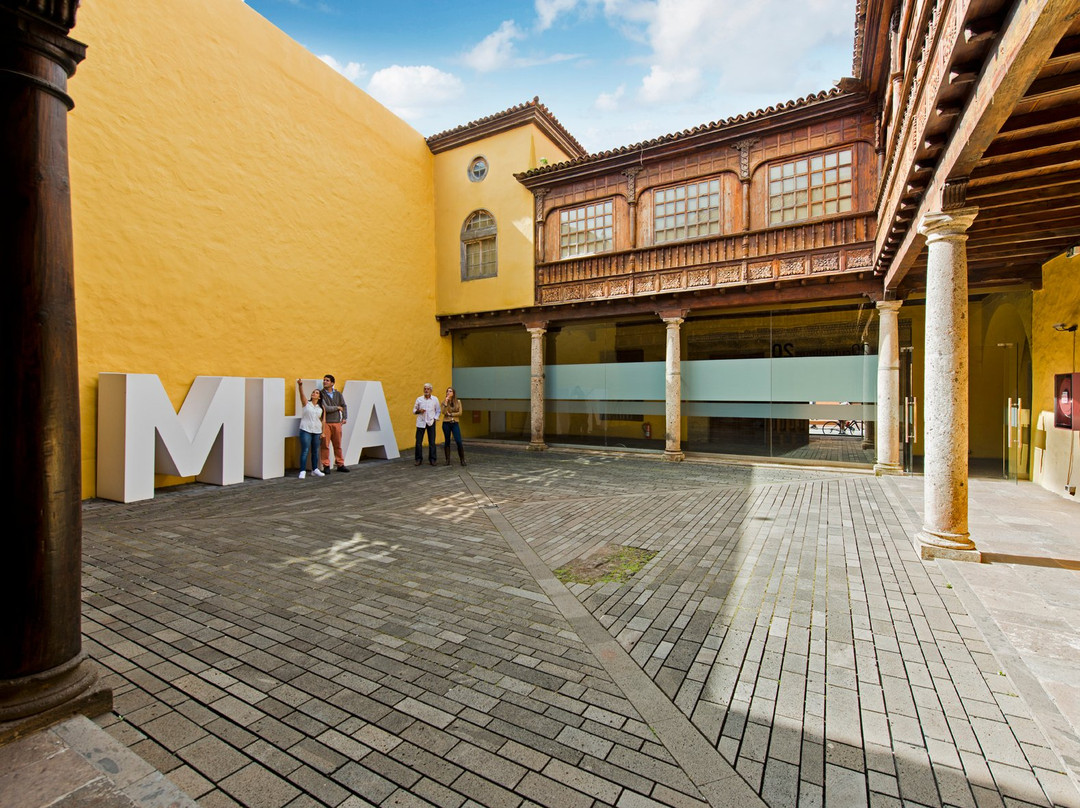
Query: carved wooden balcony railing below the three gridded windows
[(813, 250)]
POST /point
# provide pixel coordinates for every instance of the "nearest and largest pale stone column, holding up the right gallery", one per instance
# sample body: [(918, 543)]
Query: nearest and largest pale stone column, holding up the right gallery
[(944, 532)]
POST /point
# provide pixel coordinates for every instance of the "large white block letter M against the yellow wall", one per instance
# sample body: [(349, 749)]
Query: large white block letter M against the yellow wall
[(140, 434)]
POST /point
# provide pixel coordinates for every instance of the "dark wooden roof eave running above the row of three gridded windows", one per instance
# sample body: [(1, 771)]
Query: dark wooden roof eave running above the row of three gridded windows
[(672, 146)]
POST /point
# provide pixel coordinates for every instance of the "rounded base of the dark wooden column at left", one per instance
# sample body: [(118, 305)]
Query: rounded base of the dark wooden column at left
[(38, 702)]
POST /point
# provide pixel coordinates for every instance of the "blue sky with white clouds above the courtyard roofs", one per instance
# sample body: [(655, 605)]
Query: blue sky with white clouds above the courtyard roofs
[(614, 72)]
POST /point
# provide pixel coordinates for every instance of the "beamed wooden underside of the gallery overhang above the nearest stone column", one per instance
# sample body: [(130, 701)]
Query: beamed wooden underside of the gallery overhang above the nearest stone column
[(1009, 146)]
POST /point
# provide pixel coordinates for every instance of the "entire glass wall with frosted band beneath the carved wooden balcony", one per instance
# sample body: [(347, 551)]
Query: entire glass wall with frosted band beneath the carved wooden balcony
[(793, 384)]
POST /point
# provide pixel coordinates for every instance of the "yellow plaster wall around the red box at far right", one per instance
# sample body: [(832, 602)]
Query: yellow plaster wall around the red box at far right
[(1058, 302)]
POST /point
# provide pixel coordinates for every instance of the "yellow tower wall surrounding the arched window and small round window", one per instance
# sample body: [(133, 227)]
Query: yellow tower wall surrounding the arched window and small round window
[(507, 200)]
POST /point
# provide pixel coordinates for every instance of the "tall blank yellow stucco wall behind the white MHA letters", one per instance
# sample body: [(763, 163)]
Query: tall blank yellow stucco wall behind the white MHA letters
[(241, 210)]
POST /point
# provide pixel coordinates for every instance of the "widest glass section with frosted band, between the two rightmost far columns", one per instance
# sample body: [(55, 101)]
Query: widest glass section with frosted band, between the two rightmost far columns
[(793, 384)]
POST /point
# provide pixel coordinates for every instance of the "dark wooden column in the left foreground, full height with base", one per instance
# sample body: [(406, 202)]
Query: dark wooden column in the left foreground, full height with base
[(44, 675)]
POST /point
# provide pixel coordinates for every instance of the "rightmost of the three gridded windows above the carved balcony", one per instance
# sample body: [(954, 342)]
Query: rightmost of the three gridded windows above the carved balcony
[(811, 187)]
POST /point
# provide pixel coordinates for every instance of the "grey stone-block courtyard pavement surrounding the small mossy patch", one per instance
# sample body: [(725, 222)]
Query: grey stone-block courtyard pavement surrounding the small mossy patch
[(396, 637)]
